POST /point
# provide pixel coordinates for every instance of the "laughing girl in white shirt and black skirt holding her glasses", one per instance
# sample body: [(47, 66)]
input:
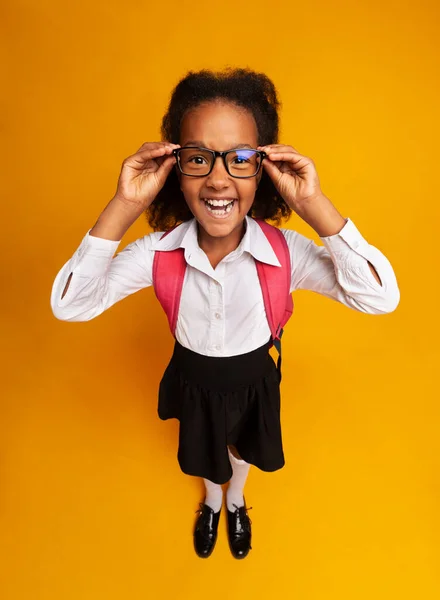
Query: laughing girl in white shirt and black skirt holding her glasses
[(219, 168)]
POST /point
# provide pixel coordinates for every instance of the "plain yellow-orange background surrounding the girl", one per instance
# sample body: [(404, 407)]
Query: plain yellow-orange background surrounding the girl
[(93, 504)]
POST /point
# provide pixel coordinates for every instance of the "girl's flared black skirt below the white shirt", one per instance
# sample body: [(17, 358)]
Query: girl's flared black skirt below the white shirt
[(223, 401)]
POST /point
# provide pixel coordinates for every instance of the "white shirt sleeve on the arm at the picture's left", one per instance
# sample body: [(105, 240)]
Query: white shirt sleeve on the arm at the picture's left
[(98, 279)]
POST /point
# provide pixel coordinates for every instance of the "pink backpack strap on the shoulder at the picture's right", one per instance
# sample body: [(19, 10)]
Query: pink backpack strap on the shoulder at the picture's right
[(275, 285)]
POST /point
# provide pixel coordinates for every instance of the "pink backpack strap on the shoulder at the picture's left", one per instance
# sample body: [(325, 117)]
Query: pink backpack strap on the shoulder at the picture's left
[(168, 289)]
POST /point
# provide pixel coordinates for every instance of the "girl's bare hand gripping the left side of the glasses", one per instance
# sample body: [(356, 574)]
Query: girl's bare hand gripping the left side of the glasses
[(144, 173)]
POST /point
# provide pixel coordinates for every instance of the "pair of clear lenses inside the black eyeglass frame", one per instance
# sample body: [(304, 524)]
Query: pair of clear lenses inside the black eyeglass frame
[(240, 163)]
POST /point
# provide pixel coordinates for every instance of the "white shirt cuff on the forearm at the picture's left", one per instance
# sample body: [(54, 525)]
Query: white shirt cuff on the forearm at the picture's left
[(93, 255)]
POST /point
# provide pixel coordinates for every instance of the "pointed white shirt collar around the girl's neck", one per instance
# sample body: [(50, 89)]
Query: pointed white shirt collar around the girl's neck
[(254, 241)]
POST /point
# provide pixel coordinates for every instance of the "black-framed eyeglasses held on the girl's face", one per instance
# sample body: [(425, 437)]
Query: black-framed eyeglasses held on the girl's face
[(195, 161)]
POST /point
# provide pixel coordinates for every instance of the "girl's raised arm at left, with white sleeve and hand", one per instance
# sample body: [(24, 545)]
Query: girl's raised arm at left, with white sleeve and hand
[(91, 281)]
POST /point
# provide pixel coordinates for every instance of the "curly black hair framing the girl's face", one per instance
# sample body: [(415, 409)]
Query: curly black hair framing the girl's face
[(243, 87)]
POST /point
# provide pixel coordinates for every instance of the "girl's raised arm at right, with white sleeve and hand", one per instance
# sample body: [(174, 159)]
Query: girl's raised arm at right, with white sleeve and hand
[(348, 269)]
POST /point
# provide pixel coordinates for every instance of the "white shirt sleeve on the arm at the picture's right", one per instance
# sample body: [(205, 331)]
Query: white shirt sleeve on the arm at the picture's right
[(340, 270)]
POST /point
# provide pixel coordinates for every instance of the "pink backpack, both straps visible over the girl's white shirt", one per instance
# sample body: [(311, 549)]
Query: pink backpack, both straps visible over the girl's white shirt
[(169, 270)]
